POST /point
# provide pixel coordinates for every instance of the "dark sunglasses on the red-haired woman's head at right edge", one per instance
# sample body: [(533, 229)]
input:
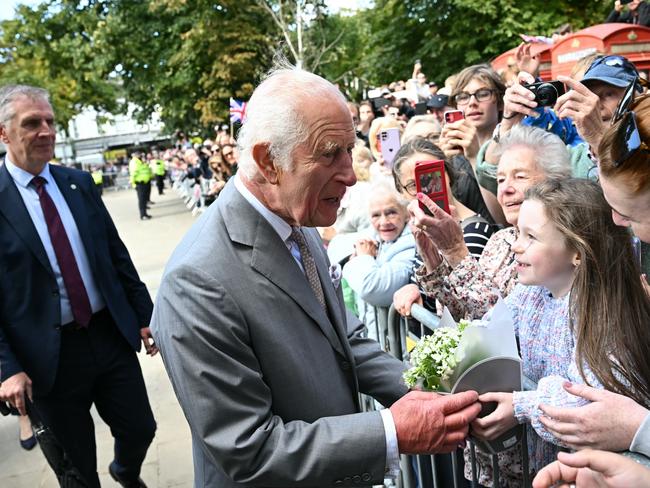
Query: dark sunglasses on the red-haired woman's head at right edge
[(628, 139)]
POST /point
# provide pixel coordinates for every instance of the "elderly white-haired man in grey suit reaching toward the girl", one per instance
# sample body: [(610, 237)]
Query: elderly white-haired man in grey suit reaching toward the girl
[(264, 359)]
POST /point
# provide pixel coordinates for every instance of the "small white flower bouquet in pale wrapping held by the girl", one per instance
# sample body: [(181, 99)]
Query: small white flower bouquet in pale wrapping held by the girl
[(481, 355)]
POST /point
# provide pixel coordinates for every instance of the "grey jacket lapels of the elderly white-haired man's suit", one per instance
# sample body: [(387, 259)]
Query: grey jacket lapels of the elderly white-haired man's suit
[(272, 259)]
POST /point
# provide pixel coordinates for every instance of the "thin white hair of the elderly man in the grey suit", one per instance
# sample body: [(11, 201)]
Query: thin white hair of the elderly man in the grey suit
[(274, 115)]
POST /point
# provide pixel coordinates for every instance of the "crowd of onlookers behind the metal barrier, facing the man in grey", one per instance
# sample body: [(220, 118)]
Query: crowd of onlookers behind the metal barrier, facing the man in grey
[(528, 222)]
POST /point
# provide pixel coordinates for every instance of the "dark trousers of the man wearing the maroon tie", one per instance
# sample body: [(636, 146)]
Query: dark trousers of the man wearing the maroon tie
[(97, 366)]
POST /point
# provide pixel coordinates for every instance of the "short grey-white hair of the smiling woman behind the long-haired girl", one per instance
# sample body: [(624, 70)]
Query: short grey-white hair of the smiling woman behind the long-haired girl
[(551, 154)]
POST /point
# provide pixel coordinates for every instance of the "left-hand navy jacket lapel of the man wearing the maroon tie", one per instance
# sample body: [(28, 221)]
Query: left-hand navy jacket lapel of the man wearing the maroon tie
[(14, 210)]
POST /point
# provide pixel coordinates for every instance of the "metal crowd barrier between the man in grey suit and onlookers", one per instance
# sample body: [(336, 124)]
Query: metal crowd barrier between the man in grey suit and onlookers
[(441, 470)]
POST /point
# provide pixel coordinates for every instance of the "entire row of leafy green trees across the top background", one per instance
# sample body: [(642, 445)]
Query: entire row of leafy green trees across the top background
[(186, 58)]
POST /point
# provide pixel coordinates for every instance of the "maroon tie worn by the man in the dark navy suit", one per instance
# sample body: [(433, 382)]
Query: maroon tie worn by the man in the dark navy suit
[(79, 302)]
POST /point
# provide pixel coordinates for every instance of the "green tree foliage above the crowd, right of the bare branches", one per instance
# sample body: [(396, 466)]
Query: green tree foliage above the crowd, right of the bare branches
[(448, 35)]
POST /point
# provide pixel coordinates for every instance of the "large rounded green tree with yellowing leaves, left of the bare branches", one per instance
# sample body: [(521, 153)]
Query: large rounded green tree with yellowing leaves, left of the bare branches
[(186, 58)]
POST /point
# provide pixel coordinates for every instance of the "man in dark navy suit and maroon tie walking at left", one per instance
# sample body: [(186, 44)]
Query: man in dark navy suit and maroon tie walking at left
[(73, 309)]
